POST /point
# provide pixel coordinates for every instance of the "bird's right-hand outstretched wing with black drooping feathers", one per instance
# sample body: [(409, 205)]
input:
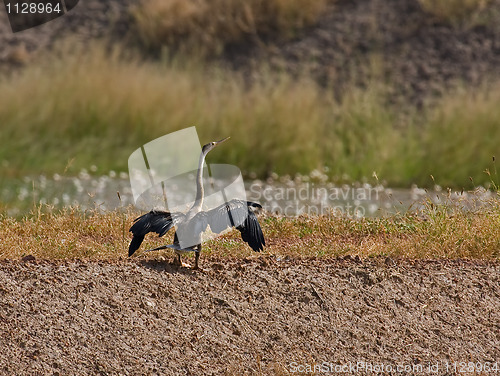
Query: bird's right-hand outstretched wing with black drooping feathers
[(239, 214)]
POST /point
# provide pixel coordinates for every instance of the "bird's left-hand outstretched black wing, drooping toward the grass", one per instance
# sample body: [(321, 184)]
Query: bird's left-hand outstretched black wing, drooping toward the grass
[(154, 221)]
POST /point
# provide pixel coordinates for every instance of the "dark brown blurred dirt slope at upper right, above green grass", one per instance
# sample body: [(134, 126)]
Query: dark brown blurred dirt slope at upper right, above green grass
[(392, 41)]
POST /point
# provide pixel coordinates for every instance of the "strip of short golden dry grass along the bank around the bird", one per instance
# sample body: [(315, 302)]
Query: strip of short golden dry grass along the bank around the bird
[(436, 231)]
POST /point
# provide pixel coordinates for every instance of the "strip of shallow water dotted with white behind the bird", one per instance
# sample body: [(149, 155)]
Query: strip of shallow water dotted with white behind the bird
[(289, 197)]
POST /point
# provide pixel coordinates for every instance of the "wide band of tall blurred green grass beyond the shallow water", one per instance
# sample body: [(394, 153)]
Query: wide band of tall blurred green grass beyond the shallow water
[(95, 108)]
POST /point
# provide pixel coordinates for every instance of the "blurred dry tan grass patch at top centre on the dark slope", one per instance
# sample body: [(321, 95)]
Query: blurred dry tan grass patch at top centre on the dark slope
[(207, 26)]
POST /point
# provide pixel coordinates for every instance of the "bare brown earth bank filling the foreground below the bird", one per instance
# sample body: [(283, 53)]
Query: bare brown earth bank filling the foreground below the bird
[(265, 315)]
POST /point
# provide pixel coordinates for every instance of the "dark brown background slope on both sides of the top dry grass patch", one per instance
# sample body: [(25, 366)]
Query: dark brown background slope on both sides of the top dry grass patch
[(392, 41)]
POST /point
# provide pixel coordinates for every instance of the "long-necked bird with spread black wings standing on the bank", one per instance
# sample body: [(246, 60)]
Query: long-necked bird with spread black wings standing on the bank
[(234, 213)]
